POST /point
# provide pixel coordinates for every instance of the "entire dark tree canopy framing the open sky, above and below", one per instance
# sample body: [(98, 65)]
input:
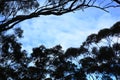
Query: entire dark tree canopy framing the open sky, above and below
[(98, 57)]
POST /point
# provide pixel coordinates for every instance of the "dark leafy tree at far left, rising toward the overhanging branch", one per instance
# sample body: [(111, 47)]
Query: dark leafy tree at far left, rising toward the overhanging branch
[(12, 59)]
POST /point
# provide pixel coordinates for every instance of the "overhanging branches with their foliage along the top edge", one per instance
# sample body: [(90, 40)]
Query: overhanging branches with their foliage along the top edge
[(11, 9)]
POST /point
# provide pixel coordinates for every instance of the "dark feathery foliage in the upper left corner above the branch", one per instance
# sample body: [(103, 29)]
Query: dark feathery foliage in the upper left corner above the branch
[(12, 7)]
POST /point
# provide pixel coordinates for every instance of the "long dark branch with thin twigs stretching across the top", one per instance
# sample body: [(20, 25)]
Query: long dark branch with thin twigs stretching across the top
[(56, 9)]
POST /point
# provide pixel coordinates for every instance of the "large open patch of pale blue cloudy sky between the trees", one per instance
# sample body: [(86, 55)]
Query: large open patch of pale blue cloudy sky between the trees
[(68, 30)]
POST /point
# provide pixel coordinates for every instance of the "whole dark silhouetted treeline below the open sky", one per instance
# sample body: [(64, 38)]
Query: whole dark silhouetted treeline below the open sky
[(98, 55)]
